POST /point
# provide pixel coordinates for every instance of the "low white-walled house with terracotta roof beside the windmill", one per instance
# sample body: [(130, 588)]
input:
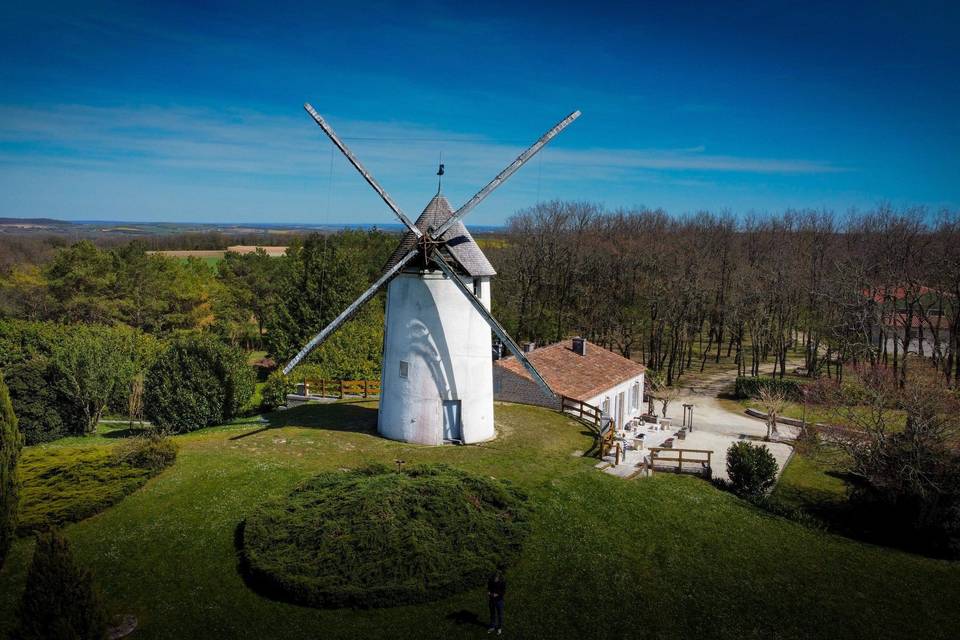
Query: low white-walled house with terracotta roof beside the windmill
[(577, 369)]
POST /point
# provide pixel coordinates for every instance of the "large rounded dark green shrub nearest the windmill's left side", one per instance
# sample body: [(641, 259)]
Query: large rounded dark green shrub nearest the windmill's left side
[(197, 382)]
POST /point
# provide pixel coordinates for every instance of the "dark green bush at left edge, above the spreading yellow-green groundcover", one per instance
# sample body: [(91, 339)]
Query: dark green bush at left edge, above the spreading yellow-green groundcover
[(43, 412)]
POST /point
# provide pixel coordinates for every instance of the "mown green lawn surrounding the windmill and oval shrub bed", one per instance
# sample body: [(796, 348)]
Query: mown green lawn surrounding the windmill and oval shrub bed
[(666, 557)]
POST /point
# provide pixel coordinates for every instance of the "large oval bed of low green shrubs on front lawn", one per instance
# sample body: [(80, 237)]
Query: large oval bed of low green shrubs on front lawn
[(373, 537)]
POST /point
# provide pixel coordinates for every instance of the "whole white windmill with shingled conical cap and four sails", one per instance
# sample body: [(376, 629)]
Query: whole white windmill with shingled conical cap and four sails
[(437, 378)]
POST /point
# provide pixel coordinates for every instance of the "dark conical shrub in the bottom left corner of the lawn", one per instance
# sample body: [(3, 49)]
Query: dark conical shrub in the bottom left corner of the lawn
[(60, 601)]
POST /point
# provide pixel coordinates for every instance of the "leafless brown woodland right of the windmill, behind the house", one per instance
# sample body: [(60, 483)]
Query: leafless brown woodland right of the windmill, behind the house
[(676, 292)]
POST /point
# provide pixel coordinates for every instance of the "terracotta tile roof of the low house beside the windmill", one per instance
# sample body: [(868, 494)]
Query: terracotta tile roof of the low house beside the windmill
[(573, 375)]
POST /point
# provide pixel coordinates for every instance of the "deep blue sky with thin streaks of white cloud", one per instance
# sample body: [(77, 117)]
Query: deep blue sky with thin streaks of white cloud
[(192, 111)]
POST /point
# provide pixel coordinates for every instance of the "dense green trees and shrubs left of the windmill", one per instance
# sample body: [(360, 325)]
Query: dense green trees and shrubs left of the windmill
[(96, 331)]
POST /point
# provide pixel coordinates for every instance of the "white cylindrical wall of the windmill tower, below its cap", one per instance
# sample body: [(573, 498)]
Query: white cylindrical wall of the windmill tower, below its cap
[(446, 344)]
